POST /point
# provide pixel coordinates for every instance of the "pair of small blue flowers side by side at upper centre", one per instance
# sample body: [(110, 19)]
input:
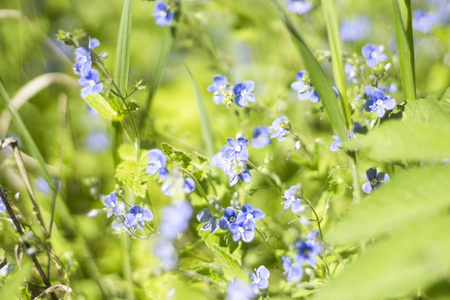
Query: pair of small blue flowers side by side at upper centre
[(224, 91)]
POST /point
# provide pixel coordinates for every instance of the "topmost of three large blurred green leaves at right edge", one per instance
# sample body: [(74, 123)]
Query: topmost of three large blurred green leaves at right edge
[(404, 141)]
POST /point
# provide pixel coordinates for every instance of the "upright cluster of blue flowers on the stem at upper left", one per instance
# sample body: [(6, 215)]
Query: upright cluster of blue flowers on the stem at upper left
[(83, 67)]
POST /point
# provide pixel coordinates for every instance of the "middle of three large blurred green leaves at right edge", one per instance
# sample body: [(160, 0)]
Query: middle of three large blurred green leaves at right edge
[(412, 196)]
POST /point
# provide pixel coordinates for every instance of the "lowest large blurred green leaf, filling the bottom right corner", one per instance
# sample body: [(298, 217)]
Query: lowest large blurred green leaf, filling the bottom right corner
[(413, 258)]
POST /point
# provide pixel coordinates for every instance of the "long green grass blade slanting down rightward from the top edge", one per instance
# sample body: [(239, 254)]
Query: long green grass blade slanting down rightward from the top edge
[(318, 75)]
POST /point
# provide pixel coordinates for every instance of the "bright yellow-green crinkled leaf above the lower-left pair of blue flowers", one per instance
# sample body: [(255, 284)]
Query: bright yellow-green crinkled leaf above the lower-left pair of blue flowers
[(131, 170)]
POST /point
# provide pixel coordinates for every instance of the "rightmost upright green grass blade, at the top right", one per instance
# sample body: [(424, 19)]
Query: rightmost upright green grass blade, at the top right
[(403, 28)]
